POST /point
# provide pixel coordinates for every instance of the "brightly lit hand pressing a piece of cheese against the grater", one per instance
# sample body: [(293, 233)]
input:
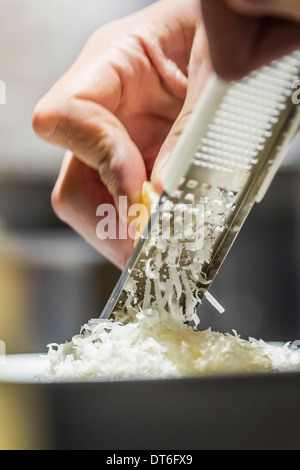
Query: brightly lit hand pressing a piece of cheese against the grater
[(119, 111)]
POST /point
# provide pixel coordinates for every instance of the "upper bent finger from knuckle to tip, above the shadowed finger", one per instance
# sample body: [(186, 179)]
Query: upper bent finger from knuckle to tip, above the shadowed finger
[(98, 139)]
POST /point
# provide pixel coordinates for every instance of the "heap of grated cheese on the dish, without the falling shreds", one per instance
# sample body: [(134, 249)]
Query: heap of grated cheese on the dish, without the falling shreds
[(158, 345)]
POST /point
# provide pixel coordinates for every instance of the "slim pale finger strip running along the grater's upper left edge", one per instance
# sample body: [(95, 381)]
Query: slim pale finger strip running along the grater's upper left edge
[(199, 71)]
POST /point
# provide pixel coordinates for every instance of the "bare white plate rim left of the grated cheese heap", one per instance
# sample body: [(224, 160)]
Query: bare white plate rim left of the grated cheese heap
[(22, 368)]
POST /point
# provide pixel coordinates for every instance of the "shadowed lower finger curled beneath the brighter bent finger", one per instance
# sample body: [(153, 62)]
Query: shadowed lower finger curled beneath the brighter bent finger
[(76, 197)]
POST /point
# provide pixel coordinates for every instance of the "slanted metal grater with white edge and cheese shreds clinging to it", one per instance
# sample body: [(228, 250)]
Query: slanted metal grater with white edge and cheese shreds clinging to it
[(224, 162)]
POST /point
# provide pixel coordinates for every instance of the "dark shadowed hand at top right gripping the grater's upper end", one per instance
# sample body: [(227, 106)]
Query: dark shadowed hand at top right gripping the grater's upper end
[(246, 34)]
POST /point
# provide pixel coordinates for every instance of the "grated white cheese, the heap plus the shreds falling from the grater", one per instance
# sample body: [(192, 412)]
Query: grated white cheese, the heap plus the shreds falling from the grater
[(153, 339)]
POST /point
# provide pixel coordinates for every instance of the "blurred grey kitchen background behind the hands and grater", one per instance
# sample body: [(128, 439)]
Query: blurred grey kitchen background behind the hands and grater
[(51, 282)]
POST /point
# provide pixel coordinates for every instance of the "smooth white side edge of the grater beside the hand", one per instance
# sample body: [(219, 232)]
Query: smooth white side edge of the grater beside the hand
[(180, 160)]
